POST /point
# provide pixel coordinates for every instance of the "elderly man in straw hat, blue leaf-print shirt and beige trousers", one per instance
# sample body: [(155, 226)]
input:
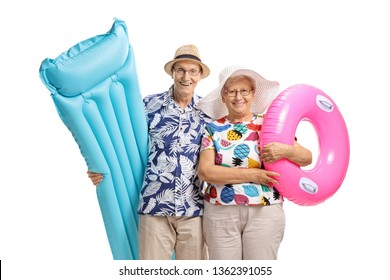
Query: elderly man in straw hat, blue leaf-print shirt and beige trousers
[(171, 207)]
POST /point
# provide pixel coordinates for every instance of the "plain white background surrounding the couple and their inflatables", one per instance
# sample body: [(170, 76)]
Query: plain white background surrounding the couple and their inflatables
[(50, 221)]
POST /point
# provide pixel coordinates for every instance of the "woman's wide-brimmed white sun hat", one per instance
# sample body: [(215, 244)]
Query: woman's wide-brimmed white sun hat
[(265, 92)]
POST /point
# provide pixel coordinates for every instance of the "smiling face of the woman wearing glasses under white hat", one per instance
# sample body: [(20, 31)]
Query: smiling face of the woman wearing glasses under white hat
[(238, 97)]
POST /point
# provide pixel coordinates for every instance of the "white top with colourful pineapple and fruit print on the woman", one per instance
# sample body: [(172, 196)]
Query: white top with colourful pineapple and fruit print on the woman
[(237, 146)]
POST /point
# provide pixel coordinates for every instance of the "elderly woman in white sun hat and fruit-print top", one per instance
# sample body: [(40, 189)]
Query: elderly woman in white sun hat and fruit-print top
[(243, 215)]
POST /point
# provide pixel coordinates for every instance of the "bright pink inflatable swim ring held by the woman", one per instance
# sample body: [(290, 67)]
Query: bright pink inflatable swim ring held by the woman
[(307, 103)]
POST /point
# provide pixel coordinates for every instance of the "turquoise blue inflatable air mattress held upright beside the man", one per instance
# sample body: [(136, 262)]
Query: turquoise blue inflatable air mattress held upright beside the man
[(94, 86)]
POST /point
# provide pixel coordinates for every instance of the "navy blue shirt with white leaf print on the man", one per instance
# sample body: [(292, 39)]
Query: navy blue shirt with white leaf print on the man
[(170, 185)]
